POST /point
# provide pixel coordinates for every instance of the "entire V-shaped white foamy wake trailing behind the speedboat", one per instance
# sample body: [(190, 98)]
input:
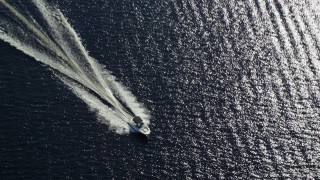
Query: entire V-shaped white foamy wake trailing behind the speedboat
[(51, 40)]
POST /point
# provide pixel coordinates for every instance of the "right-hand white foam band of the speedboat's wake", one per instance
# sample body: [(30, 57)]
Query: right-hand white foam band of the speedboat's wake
[(106, 84)]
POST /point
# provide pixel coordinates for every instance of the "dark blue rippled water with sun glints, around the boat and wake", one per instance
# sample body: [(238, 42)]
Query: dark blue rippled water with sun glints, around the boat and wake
[(232, 87)]
